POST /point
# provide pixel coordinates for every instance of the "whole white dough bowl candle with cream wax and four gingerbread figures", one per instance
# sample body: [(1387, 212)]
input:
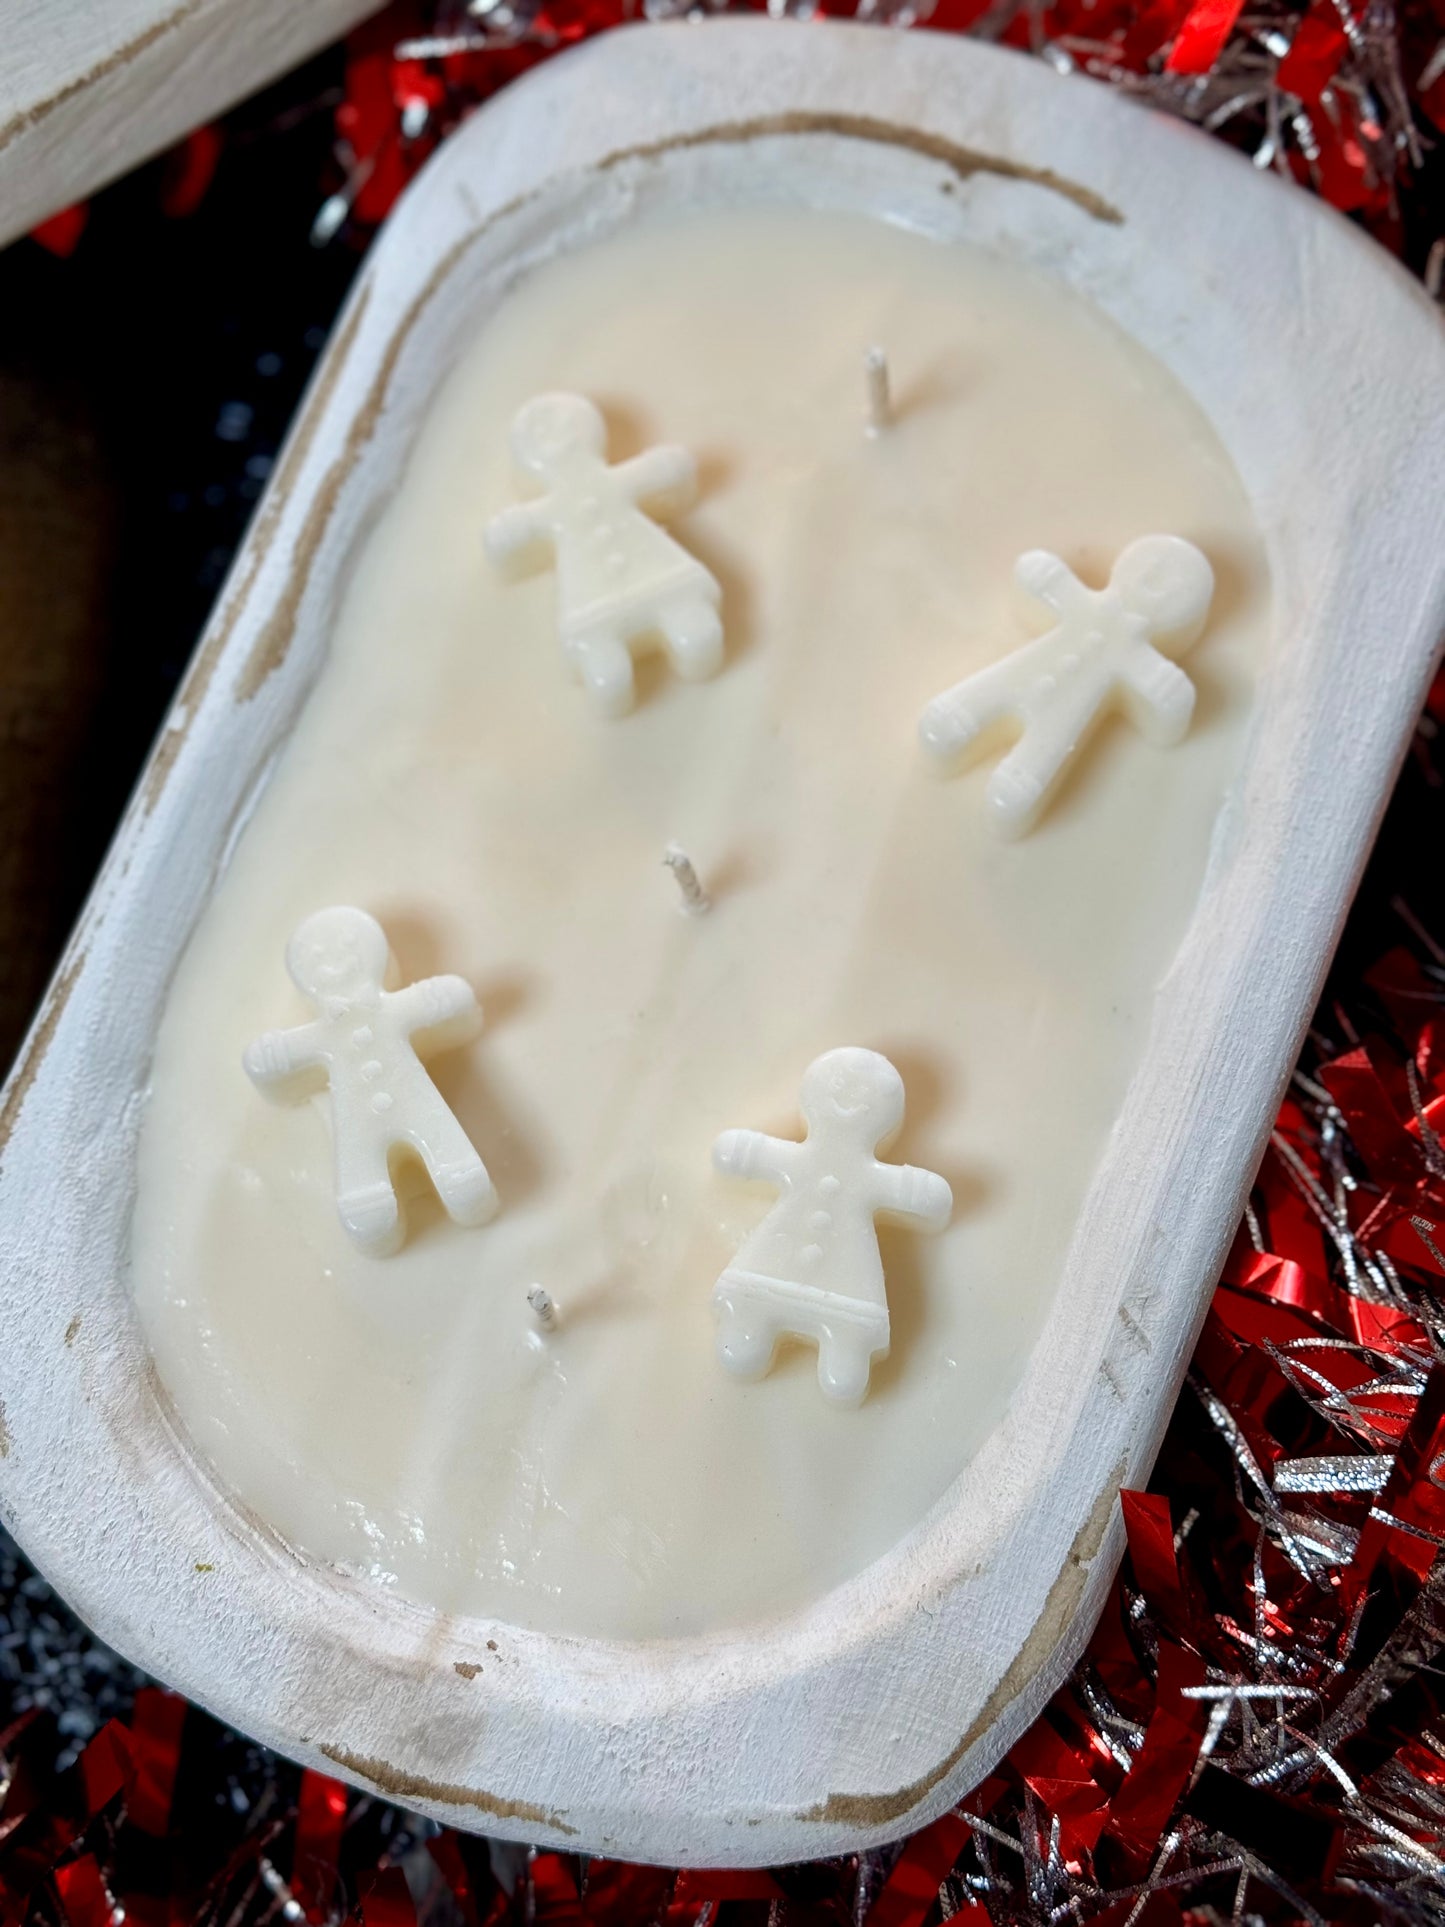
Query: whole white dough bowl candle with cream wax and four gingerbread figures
[(777, 1030)]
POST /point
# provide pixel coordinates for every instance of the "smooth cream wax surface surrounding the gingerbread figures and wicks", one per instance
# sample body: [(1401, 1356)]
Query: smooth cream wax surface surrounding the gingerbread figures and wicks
[(404, 1417)]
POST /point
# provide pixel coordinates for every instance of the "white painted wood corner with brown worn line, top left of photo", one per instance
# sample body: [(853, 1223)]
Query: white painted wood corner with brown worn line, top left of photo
[(92, 88)]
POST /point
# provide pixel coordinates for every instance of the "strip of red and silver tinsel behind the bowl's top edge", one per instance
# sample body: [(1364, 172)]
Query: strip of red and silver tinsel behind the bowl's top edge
[(1344, 95)]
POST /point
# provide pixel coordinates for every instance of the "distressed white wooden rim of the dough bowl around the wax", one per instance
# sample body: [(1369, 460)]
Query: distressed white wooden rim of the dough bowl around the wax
[(862, 1718)]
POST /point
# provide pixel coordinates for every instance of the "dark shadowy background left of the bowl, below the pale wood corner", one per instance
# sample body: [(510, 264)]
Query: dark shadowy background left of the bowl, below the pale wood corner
[(145, 386)]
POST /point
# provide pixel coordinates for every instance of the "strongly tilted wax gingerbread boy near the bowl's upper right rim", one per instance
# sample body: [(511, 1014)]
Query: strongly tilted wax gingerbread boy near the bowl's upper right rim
[(1109, 650)]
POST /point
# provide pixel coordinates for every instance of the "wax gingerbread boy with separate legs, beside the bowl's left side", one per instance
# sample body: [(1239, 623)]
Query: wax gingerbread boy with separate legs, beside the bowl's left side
[(363, 1045)]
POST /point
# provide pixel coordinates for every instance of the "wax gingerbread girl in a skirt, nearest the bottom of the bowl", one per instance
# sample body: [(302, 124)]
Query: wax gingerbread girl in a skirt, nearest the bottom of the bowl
[(812, 1267)]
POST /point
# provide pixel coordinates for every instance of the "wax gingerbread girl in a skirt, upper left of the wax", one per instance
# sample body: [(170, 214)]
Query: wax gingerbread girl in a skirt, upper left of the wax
[(621, 579)]
